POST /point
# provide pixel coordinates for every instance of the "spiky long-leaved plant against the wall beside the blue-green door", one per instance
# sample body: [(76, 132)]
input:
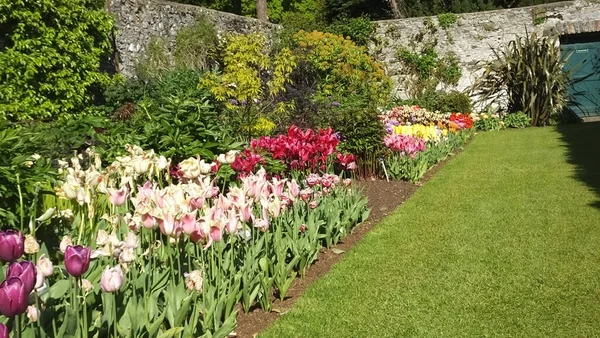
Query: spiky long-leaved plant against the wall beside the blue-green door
[(525, 75)]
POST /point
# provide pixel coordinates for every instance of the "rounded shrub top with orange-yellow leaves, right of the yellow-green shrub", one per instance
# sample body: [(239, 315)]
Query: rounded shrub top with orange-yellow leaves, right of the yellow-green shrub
[(344, 69)]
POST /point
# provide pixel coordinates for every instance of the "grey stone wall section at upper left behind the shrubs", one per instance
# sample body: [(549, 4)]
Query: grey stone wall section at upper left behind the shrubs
[(137, 21)]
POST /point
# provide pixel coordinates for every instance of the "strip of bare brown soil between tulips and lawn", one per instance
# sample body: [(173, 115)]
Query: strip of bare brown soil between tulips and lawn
[(384, 198)]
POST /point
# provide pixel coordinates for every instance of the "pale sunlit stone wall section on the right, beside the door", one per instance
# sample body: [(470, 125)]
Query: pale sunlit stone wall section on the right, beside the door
[(471, 37)]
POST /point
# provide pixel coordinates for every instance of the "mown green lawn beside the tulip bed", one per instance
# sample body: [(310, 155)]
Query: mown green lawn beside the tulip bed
[(503, 242)]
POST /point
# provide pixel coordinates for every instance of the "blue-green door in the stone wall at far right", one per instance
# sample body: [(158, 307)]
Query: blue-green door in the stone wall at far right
[(584, 63)]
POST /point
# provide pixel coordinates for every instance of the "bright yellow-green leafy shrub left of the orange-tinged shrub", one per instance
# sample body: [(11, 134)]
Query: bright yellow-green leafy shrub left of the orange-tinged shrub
[(249, 81)]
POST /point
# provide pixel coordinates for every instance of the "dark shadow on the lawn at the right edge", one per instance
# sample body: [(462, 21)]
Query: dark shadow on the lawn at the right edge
[(583, 143)]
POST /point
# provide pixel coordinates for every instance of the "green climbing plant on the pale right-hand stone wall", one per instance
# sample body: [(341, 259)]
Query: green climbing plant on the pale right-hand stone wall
[(425, 69)]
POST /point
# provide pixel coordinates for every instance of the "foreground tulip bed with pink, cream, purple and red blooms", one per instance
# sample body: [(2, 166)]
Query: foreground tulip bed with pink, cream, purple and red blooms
[(153, 249)]
